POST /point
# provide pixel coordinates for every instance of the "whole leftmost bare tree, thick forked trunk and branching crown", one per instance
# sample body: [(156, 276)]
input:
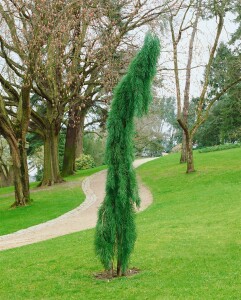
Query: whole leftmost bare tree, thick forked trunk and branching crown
[(20, 48)]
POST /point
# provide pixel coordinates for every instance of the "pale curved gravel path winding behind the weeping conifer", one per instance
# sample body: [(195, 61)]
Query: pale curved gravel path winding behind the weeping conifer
[(81, 218)]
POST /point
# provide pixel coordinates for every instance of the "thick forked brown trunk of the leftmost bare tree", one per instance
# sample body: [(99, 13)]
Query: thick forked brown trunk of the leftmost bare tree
[(15, 134)]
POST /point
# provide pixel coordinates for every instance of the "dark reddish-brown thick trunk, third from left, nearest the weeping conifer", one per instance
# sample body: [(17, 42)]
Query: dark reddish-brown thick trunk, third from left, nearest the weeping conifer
[(74, 141)]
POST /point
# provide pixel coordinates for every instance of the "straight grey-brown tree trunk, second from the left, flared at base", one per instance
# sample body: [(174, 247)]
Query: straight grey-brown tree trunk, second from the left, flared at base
[(51, 173)]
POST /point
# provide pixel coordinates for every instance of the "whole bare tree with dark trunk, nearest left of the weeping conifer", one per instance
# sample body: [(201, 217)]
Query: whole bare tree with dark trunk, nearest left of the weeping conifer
[(110, 32)]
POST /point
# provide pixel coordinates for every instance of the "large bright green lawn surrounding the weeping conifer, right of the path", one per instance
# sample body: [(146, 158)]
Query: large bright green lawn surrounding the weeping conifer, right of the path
[(188, 246)]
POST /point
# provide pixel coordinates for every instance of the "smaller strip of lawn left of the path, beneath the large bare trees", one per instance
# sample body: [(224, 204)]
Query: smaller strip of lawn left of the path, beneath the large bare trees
[(48, 203)]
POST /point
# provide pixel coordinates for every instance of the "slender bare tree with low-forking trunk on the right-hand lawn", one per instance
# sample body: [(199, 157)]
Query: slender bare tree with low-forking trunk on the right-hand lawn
[(191, 13)]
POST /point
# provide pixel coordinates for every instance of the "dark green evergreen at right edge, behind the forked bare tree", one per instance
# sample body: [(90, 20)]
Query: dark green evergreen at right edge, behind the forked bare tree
[(224, 122)]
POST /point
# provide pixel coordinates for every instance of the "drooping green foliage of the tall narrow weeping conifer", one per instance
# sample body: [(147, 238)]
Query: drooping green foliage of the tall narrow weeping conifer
[(115, 230)]
